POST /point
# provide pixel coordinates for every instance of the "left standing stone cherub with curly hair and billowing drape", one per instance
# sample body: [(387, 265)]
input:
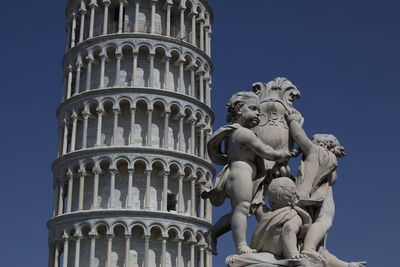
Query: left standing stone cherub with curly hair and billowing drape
[(242, 150)]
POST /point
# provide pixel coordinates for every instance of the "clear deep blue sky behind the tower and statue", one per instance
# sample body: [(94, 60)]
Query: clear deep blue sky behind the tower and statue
[(343, 56)]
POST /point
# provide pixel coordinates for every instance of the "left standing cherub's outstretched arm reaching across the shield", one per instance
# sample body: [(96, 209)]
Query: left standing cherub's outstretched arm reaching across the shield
[(250, 140)]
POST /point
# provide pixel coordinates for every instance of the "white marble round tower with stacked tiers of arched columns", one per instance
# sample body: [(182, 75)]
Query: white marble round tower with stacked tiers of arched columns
[(134, 121)]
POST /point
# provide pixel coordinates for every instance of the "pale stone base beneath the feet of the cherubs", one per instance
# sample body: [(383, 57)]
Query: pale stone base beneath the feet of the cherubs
[(269, 260)]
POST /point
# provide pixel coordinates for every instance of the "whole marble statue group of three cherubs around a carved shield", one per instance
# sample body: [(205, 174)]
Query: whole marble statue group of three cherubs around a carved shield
[(255, 150)]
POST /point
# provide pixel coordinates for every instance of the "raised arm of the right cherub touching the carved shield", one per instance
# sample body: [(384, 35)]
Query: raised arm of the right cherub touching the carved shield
[(298, 134)]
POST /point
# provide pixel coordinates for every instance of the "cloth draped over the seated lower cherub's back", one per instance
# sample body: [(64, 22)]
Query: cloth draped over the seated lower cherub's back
[(272, 220)]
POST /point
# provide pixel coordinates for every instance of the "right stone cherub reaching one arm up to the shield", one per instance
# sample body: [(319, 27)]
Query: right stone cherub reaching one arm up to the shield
[(317, 175)]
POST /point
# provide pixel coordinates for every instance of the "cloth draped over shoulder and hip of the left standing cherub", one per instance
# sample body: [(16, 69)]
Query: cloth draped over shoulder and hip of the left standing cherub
[(218, 155)]
